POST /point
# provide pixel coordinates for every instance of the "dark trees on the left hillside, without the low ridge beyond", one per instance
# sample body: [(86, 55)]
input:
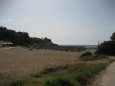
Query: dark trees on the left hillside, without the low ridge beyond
[(20, 38)]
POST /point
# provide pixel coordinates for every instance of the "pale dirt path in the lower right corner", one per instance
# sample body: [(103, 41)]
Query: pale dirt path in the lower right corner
[(106, 78)]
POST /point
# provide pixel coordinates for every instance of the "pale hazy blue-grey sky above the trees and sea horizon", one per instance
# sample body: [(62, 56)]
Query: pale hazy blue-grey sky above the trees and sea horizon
[(70, 22)]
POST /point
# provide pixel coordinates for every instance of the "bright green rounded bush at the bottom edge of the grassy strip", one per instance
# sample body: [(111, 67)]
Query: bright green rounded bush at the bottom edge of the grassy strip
[(60, 81)]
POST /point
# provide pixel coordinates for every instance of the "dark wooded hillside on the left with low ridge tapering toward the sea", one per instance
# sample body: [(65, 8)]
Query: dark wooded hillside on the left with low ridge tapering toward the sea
[(23, 39)]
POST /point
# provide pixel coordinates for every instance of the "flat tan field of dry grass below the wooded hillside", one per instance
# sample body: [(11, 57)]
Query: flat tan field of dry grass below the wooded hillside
[(18, 62)]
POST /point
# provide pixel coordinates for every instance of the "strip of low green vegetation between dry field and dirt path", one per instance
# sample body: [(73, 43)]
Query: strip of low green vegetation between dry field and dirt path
[(78, 74)]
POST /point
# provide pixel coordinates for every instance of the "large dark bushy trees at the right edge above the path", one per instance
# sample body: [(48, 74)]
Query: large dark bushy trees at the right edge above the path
[(107, 47)]
